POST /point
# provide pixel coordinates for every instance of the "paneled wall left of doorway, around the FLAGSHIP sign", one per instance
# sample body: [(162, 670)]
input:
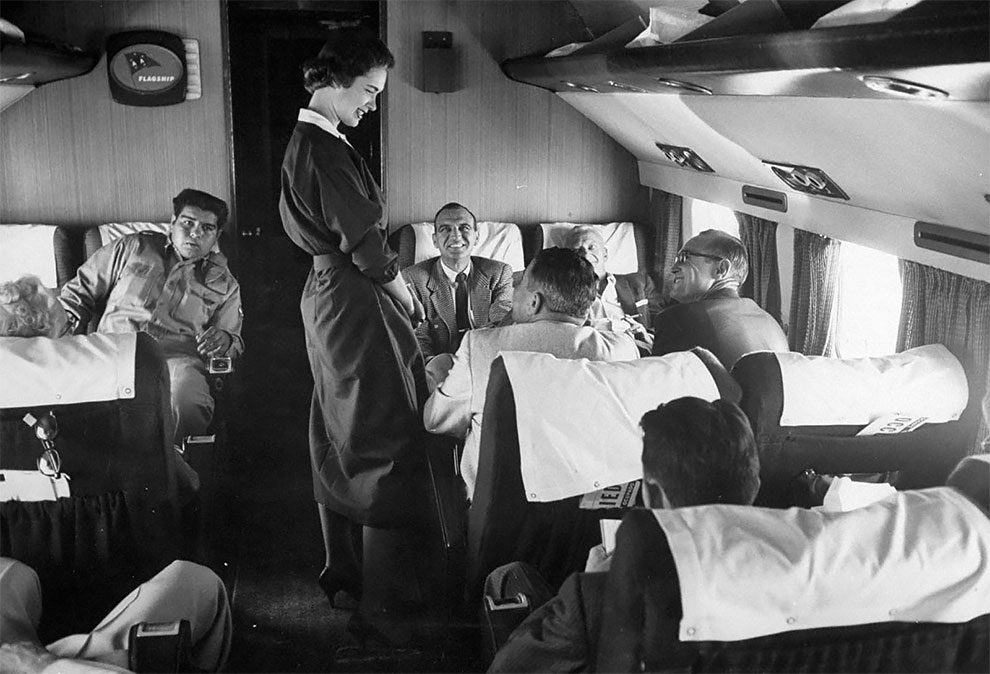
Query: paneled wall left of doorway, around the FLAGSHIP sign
[(71, 155)]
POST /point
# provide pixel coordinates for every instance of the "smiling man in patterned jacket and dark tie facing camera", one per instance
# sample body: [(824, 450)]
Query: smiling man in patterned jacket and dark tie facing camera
[(459, 291)]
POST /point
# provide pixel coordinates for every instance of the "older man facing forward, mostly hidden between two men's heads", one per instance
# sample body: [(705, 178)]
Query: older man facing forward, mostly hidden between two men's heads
[(622, 303)]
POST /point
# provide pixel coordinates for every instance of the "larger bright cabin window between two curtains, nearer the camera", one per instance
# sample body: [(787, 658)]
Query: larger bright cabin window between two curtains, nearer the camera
[(869, 302)]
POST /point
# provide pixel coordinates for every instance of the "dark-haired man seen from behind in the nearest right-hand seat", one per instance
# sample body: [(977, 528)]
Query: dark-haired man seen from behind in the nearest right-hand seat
[(695, 452)]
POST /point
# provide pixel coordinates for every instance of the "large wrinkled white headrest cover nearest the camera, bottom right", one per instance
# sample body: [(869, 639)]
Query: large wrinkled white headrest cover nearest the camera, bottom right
[(747, 572)]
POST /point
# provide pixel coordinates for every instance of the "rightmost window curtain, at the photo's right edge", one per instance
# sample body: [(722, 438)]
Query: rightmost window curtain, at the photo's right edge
[(946, 308)]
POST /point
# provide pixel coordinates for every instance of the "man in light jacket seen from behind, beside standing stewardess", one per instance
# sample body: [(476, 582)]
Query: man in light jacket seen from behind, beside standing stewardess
[(549, 311)]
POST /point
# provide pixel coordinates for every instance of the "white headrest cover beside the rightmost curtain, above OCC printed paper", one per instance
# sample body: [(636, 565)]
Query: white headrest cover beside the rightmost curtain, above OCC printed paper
[(924, 381)]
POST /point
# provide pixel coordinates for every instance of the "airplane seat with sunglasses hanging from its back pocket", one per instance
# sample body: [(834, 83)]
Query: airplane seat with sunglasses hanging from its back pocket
[(114, 521)]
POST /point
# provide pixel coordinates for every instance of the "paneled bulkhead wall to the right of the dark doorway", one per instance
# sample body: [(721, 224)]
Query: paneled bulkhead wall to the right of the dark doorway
[(506, 150)]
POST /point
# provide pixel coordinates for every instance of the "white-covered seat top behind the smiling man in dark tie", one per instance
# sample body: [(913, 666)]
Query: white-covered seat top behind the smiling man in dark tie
[(500, 241)]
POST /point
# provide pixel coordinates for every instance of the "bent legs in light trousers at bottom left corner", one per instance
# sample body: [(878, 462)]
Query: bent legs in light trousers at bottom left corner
[(182, 590)]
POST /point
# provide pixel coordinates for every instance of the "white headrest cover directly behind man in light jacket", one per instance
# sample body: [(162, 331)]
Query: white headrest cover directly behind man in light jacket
[(578, 420)]
